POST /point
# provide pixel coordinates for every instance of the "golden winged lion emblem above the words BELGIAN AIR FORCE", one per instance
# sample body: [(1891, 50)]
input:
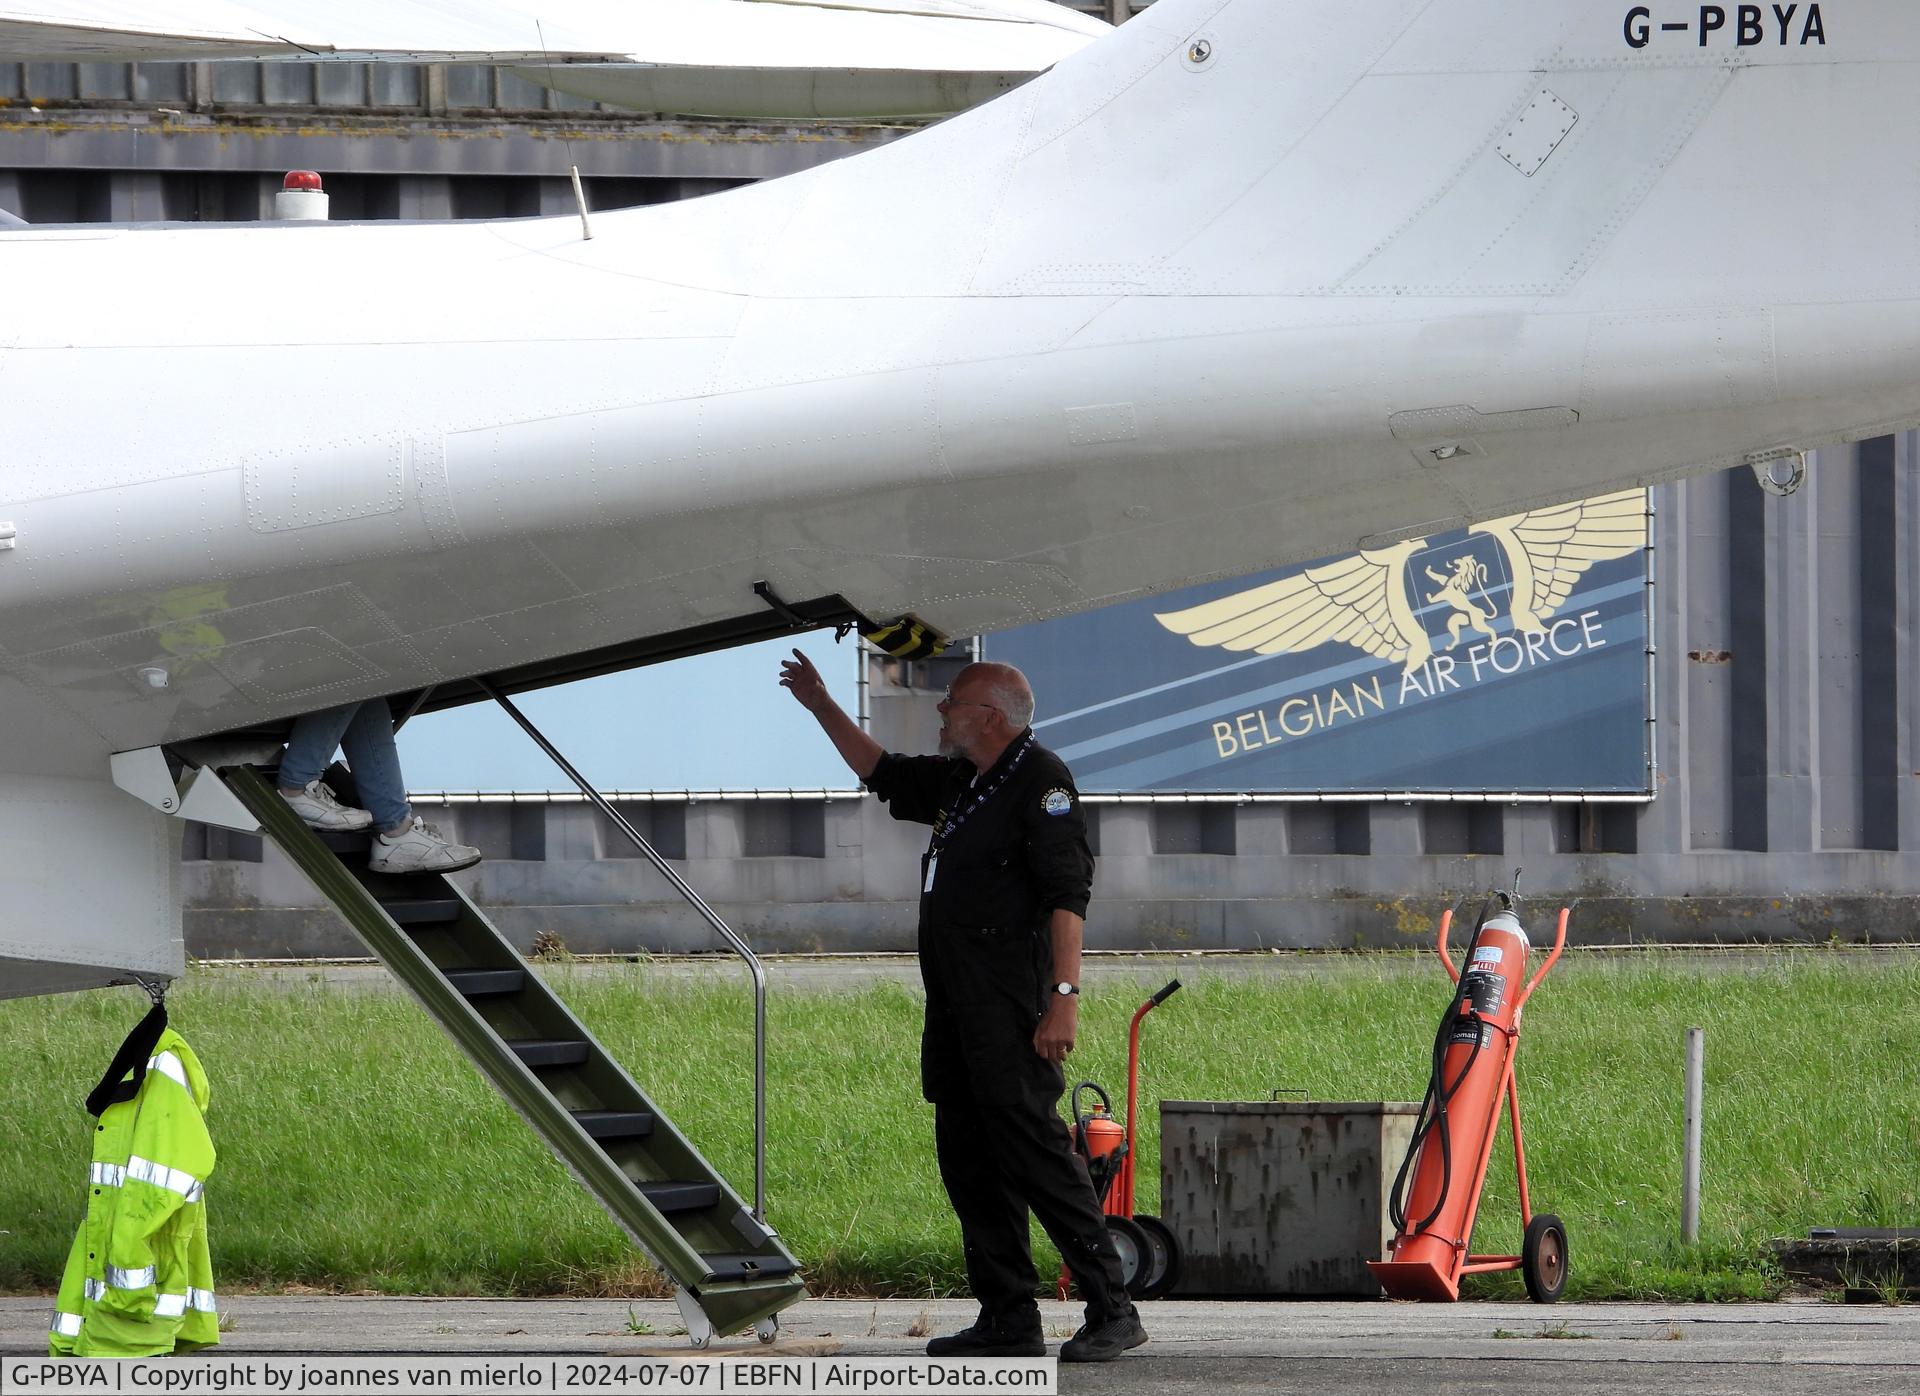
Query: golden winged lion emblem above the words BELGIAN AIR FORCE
[(1360, 600)]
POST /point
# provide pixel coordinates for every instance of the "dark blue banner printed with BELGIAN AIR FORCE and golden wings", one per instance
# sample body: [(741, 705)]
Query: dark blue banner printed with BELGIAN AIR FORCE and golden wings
[(1504, 658)]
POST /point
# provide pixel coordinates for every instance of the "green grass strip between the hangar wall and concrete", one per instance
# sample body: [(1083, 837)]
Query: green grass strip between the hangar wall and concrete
[(360, 1153)]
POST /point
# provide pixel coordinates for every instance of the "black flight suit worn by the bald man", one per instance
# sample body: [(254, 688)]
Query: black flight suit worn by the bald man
[(1007, 852)]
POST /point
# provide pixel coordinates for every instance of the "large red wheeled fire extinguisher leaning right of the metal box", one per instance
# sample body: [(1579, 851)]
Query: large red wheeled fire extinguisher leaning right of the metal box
[(1454, 1134)]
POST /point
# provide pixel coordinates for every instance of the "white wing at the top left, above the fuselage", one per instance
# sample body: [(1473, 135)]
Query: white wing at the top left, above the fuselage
[(727, 59)]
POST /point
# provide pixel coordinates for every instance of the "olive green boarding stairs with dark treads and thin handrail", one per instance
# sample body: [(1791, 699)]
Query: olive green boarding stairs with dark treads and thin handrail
[(731, 1268)]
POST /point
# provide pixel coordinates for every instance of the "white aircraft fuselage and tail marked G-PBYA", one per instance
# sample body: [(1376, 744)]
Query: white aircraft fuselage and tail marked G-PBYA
[(1234, 285)]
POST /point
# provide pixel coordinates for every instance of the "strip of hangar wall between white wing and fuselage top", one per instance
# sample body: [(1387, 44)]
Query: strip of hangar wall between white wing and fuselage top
[(133, 143)]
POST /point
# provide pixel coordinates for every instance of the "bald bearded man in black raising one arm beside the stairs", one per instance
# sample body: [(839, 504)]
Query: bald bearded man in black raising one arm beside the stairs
[(1003, 902)]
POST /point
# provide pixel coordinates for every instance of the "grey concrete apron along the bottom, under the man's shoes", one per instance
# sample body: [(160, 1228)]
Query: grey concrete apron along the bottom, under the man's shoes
[(1195, 1345)]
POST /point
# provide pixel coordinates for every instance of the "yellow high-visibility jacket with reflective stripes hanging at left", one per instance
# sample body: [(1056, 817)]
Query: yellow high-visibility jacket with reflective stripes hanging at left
[(139, 1280)]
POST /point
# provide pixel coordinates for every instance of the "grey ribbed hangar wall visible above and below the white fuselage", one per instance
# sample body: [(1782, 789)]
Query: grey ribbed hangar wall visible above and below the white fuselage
[(1787, 675)]
